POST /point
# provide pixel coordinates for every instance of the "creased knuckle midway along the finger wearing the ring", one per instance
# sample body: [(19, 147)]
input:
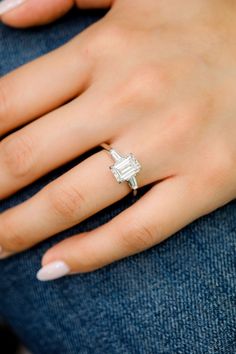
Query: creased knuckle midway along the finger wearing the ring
[(66, 201)]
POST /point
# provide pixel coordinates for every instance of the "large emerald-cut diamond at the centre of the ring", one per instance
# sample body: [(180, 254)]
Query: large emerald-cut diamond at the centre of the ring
[(125, 168)]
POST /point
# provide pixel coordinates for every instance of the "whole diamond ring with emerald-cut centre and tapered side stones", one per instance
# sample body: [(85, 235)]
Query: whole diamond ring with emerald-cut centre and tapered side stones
[(125, 167)]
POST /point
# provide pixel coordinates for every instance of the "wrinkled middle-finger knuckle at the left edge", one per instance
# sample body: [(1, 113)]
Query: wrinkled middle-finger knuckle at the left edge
[(17, 154)]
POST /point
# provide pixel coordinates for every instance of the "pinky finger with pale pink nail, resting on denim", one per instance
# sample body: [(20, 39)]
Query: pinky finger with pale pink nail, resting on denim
[(161, 212)]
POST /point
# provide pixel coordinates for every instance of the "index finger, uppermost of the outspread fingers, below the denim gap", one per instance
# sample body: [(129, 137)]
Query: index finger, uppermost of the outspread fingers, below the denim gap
[(44, 83)]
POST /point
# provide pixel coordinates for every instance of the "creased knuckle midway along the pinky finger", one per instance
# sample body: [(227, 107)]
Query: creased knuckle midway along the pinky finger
[(139, 237)]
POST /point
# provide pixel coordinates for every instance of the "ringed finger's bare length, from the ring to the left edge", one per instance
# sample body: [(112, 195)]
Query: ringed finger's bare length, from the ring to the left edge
[(72, 198)]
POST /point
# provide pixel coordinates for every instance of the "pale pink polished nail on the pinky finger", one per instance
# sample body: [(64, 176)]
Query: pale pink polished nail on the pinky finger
[(52, 271)]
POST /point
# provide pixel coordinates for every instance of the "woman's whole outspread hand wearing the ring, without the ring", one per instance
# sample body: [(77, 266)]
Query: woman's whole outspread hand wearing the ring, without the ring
[(157, 80)]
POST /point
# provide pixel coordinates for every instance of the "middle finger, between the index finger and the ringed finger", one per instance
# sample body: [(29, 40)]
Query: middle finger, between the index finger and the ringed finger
[(32, 151)]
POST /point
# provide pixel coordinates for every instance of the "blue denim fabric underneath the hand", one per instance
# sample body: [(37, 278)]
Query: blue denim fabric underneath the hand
[(178, 297)]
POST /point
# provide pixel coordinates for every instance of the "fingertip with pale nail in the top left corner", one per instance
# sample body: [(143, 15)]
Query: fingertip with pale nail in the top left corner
[(26, 13)]
